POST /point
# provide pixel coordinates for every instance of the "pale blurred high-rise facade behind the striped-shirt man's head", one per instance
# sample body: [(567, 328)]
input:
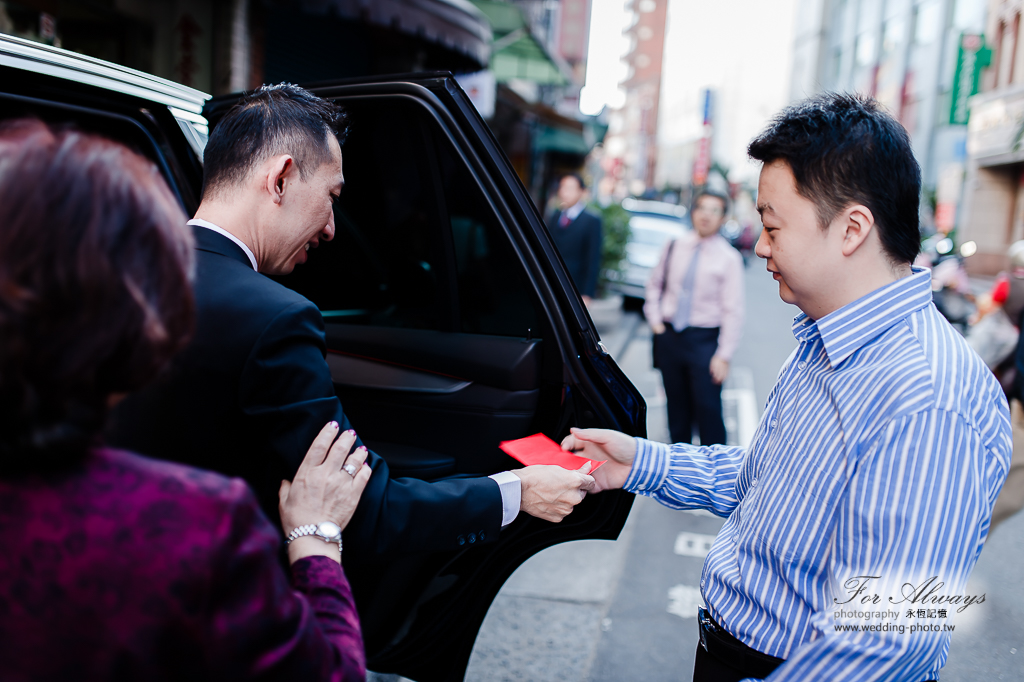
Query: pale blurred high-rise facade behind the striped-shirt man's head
[(905, 54)]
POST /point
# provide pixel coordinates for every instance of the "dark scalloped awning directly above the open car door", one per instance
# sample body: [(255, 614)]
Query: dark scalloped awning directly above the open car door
[(457, 25)]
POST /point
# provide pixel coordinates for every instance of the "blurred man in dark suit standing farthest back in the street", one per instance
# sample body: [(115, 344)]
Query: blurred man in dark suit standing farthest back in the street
[(577, 233)]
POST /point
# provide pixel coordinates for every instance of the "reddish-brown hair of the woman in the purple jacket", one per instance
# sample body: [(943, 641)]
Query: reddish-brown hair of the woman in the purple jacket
[(96, 297)]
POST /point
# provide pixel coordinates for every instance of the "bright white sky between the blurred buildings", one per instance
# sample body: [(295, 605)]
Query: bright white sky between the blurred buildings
[(740, 49)]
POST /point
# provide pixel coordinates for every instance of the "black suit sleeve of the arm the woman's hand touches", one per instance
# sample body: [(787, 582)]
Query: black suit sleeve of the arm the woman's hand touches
[(287, 396)]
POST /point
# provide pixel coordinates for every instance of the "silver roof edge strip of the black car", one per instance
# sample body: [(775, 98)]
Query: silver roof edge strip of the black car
[(185, 103)]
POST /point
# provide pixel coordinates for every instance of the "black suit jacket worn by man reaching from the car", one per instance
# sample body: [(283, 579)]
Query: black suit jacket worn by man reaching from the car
[(252, 391)]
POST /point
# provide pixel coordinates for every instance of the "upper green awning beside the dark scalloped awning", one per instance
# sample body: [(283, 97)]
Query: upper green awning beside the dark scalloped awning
[(516, 53)]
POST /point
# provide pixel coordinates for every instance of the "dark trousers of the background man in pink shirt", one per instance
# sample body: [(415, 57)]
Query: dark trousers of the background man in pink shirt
[(685, 359)]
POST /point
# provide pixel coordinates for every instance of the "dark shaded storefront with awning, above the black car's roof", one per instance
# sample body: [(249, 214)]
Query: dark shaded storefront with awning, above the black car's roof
[(223, 47)]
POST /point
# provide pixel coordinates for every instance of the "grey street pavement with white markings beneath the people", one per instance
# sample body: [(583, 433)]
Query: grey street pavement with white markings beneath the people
[(625, 611)]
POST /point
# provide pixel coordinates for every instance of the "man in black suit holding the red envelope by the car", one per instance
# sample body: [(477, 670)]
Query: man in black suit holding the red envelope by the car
[(253, 389)]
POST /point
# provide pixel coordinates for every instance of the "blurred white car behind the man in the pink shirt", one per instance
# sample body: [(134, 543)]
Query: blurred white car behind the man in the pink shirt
[(653, 225)]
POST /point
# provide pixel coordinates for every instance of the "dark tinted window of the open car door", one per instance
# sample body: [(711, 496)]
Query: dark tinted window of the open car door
[(417, 244)]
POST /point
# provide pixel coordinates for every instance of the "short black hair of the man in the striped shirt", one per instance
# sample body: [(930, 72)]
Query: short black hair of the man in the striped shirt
[(843, 150)]
